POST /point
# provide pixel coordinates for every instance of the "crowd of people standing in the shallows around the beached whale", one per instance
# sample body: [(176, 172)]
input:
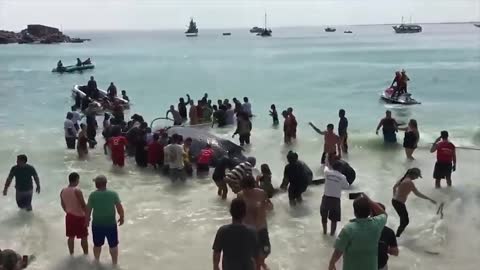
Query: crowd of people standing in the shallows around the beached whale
[(364, 242)]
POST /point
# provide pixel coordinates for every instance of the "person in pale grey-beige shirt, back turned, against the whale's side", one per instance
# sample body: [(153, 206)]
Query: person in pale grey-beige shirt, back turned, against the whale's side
[(174, 158)]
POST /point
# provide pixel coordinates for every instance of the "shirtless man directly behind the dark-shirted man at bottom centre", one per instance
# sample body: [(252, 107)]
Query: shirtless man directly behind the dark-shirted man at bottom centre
[(257, 206)]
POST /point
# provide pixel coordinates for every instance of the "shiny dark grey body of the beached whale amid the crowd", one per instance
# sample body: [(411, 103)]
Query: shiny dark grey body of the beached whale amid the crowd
[(201, 137)]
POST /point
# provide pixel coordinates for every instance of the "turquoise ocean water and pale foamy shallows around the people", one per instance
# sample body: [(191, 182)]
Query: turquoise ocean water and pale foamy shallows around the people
[(316, 73)]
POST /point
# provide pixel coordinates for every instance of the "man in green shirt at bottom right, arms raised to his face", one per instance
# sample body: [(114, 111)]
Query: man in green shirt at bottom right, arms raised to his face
[(358, 240)]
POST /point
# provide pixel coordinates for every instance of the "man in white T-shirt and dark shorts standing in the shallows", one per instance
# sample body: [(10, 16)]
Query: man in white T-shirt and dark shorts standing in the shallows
[(330, 208)]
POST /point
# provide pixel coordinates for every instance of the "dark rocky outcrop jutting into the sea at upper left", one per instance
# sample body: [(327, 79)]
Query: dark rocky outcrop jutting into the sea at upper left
[(35, 33)]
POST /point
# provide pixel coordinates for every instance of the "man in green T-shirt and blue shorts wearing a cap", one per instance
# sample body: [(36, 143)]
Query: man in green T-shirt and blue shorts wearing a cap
[(102, 204)]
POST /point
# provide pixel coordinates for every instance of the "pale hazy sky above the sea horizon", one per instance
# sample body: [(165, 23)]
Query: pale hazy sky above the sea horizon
[(174, 14)]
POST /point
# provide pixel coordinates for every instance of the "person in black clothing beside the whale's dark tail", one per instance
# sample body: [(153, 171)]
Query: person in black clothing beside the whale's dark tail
[(295, 178)]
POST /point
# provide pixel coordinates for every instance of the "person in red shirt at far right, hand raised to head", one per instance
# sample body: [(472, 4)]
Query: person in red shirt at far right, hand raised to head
[(446, 159)]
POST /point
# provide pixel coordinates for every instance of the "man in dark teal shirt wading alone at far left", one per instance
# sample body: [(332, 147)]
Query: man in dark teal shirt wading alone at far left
[(23, 174)]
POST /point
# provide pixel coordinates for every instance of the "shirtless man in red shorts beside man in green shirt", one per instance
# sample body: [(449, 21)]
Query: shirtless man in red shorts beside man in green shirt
[(74, 206)]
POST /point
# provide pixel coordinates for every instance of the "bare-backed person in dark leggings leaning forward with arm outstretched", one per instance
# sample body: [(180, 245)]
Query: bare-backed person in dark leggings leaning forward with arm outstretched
[(401, 190)]
